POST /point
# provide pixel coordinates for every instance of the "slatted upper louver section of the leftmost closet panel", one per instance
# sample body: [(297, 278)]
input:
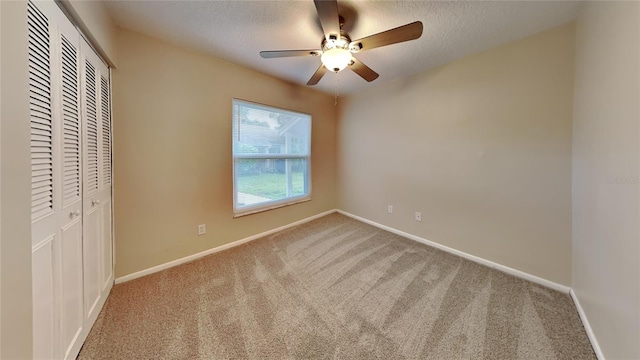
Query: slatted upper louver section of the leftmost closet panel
[(40, 110)]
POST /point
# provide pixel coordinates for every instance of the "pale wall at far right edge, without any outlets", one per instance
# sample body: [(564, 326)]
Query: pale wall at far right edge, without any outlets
[(606, 173)]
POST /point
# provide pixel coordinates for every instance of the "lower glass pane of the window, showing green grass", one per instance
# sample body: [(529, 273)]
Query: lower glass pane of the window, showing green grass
[(266, 180)]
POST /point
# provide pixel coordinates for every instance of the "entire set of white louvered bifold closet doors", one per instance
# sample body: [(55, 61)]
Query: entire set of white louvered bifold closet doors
[(71, 240)]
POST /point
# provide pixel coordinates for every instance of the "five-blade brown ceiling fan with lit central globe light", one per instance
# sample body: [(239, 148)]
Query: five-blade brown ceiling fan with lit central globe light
[(337, 49)]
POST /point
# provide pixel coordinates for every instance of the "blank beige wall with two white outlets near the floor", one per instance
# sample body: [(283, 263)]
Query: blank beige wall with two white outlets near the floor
[(481, 146)]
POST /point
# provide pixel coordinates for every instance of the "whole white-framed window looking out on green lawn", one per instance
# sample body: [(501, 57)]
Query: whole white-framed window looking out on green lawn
[(271, 157)]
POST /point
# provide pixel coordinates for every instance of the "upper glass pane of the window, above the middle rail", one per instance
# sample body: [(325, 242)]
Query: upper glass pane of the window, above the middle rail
[(262, 130)]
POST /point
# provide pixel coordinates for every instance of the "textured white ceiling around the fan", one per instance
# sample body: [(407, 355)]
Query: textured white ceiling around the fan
[(238, 30)]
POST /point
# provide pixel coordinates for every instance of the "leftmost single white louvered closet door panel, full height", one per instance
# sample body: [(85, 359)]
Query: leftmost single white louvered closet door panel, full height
[(44, 227)]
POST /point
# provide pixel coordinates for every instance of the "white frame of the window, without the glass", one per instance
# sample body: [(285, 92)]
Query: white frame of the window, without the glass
[(264, 206)]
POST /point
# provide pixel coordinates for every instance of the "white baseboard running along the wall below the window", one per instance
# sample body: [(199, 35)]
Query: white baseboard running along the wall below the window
[(214, 250)]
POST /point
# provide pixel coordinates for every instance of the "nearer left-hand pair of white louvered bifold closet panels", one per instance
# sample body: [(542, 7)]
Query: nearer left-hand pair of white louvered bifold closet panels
[(56, 183)]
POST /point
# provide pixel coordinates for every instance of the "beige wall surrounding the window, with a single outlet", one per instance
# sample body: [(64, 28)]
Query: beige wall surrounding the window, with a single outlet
[(172, 151)]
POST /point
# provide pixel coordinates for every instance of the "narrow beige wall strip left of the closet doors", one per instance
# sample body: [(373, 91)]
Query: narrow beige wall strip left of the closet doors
[(15, 189)]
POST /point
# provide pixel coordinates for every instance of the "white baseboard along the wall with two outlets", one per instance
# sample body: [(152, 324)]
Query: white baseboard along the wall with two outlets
[(479, 260)]
